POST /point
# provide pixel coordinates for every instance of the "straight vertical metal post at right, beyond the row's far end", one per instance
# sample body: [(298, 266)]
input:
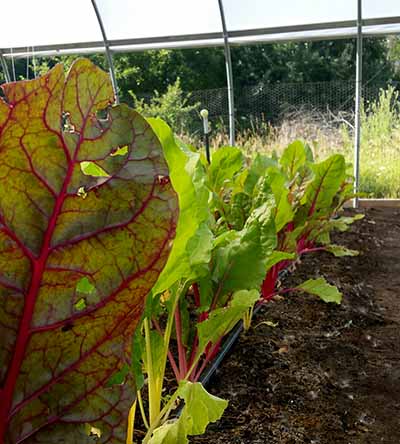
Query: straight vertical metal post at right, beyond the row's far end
[(357, 125)]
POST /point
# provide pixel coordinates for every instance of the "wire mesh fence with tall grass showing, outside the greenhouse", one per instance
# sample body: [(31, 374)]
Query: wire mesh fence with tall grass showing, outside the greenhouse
[(270, 116)]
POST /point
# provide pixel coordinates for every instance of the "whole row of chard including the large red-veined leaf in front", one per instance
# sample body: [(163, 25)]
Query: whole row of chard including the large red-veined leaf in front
[(126, 258)]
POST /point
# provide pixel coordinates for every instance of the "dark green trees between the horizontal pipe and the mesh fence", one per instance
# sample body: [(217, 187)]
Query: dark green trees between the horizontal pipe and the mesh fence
[(145, 72)]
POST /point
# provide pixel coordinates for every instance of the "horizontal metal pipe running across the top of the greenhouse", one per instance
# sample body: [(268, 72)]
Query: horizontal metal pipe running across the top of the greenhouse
[(201, 39)]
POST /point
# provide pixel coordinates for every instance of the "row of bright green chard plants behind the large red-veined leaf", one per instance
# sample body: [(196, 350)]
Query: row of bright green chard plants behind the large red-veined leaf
[(251, 219)]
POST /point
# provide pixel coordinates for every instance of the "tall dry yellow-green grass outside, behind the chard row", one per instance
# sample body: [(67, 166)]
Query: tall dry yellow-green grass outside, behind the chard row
[(328, 133)]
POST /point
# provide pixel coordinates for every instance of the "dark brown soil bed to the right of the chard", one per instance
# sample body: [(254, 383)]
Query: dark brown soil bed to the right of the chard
[(325, 374)]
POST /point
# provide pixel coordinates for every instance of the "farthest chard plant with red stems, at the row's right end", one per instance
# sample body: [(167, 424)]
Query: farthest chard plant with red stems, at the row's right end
[(311, 197)]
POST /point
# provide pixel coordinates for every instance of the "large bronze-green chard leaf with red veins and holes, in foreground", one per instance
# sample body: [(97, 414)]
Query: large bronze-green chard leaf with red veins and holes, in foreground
[(78, 253)]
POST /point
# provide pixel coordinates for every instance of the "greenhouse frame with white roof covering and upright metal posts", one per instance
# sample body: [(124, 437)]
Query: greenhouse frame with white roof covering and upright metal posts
[(112, 26)]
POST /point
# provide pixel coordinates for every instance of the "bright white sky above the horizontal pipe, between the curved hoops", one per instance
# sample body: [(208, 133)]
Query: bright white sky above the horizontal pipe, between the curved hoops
[(41, 22)]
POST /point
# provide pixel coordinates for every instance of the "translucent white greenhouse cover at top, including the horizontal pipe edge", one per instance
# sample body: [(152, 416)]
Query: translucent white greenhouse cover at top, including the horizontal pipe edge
[(49, 26)]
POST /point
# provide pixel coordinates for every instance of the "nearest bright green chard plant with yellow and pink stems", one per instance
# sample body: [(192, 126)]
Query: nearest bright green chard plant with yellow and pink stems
[(205, 289)]
